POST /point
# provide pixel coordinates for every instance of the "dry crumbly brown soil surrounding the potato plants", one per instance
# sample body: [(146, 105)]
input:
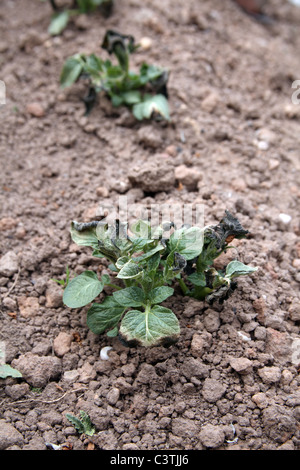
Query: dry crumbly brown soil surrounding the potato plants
[(232, 380)]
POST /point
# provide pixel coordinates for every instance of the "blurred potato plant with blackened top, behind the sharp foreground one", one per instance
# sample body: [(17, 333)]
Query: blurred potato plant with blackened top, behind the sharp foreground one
[(144, 92)]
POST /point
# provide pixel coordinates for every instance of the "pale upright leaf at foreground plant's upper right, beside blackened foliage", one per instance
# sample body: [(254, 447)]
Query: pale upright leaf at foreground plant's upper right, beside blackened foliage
[(188, 242)]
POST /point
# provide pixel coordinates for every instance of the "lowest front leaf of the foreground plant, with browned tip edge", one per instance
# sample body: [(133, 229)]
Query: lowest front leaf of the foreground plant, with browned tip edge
[(153, 327)]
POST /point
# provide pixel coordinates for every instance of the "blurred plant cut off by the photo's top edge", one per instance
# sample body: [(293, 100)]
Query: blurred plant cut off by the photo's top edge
[(61, 17)]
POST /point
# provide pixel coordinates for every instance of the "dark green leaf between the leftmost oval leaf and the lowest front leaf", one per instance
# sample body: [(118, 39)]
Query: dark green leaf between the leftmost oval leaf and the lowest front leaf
[(101, 317)]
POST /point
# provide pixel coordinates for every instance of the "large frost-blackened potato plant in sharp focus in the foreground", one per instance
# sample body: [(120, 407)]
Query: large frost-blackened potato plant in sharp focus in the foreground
[(148, 264)]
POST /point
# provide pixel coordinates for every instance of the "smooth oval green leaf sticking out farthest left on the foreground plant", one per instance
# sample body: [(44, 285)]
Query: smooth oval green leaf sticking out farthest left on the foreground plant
[(82, 290)]
